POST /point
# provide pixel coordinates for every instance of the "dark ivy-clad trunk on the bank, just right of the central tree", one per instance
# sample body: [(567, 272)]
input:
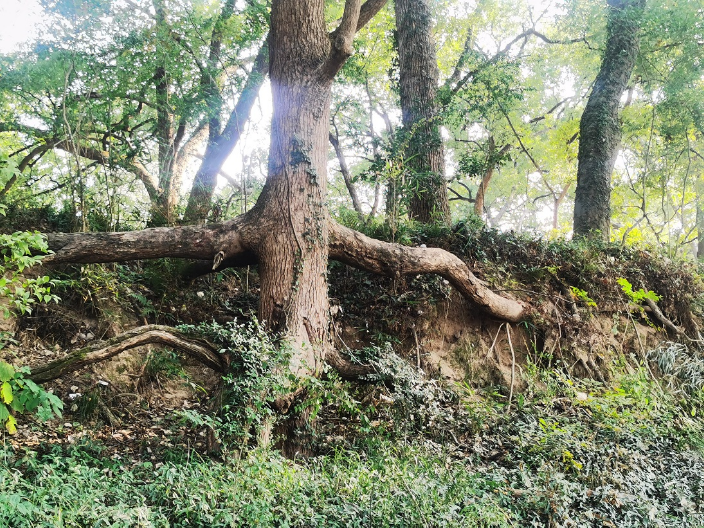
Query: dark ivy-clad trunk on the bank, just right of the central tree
[(419, 75)]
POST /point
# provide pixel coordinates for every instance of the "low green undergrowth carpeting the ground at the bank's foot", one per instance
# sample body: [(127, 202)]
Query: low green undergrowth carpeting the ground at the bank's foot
[(567, 453)]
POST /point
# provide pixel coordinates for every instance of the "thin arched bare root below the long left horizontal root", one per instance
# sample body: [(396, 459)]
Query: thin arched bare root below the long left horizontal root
[(144, 335)]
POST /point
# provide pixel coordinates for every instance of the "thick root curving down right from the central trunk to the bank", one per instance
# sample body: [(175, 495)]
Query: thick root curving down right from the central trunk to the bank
[(360, 251)]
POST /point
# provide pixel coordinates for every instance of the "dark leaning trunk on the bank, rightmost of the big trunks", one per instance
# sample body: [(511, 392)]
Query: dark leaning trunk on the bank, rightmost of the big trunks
[(600, 127)]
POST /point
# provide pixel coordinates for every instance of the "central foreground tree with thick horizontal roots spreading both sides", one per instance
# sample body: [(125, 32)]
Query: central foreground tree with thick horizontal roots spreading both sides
[(289, 232)]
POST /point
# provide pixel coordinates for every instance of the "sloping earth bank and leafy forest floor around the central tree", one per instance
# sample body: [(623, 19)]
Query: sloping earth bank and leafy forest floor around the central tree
[(589, 414)]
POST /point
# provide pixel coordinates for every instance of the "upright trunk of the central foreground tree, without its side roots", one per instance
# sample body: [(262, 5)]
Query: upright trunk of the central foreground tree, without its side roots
[(291, 211)]
